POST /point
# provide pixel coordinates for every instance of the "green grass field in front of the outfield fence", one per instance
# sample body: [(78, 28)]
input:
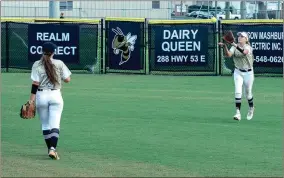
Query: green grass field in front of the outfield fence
[(143, 125)]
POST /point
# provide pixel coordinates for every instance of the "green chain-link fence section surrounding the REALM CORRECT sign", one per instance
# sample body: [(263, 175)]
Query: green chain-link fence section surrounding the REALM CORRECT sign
[(15, 46)]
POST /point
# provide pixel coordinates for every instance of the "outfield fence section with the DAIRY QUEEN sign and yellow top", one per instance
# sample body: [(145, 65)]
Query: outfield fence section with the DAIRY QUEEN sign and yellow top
[(182, 47)]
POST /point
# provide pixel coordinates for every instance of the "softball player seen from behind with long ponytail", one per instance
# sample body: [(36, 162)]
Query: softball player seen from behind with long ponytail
[(47, 75)]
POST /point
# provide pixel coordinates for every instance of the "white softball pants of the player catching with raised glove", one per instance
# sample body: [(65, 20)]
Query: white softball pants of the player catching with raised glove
[(243, 80)]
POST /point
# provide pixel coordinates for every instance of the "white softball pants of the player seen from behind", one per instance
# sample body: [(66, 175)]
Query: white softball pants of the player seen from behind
[(49, 104)]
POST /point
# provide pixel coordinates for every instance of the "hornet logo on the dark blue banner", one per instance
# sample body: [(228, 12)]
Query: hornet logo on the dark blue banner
[(123, 44)]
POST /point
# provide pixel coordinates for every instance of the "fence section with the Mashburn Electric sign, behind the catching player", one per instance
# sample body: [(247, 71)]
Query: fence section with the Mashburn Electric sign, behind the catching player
[(266, 40)]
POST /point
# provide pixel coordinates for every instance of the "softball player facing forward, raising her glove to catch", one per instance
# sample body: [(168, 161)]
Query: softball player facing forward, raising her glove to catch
[(243, 74)]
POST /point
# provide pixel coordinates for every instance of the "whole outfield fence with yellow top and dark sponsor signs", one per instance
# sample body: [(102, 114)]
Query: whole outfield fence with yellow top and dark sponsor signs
[(138, 45)]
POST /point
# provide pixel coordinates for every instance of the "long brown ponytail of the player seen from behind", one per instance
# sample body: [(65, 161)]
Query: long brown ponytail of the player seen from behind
[(49, 68)]
